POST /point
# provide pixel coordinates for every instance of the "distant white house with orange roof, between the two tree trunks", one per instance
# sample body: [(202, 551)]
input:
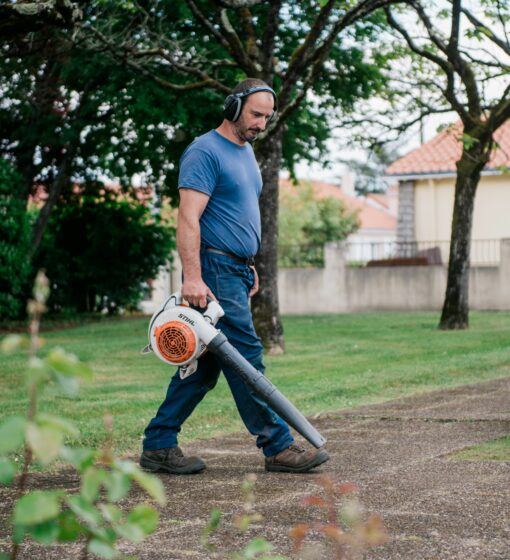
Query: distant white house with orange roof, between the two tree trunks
[(377, 215)]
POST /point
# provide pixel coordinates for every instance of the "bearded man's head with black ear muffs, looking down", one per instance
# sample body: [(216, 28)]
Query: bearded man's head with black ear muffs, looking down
[(249, 108)]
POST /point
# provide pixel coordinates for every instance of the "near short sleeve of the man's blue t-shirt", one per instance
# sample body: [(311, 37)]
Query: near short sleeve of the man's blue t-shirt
[(198, 170)]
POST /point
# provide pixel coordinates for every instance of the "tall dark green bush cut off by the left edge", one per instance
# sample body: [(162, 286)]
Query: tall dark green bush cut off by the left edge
[(14, 245)]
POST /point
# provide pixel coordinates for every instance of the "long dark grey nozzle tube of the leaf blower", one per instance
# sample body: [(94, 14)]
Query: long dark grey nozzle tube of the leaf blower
[(222, 348)]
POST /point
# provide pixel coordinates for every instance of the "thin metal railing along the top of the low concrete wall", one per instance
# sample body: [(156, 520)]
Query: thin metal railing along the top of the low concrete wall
[(484, 252)]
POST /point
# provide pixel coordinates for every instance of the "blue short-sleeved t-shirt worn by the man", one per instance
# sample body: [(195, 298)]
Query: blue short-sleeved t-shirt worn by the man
[(230, 175)]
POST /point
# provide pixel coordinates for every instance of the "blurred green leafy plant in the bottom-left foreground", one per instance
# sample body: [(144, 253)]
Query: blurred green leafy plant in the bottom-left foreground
[(49, 516)]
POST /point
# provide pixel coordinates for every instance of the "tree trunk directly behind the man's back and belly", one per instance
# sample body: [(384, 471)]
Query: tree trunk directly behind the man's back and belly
[(266, 314)]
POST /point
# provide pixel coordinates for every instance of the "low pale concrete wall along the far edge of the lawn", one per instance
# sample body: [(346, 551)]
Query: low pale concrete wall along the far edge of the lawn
[(340, 288)]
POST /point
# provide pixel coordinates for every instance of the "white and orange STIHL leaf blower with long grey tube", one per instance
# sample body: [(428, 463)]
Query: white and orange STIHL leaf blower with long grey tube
[(179, 335)]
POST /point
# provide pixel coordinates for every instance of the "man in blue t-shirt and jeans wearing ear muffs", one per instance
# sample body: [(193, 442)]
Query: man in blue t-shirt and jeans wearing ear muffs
[(218, 232)]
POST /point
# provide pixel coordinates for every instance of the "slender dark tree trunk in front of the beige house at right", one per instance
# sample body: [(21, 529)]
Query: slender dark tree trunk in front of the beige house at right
[(455, 314)]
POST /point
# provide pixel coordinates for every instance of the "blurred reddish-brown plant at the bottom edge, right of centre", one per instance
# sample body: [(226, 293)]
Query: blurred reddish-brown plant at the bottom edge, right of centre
[(346, 531)]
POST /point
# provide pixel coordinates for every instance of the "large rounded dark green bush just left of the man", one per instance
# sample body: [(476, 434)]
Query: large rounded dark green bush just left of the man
[(100, 249)]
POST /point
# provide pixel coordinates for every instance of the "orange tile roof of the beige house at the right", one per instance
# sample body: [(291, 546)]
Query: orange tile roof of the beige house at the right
[(440, 154)]
